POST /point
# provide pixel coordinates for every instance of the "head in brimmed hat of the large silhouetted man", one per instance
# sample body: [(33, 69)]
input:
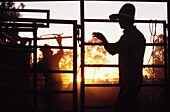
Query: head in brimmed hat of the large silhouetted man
[(125, 16)]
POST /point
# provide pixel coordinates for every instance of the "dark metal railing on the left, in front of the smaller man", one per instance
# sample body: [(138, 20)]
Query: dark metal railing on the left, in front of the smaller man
[(32, 25)]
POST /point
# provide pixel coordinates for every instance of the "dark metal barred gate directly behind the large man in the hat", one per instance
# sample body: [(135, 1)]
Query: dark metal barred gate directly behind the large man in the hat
[(84, 86)]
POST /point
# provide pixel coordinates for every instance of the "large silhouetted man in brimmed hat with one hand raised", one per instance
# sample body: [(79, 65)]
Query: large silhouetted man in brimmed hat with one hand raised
[(131, 48)]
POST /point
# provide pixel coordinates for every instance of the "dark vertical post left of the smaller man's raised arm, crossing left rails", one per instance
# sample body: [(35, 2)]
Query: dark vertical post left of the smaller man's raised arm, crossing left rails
[(34, 71)]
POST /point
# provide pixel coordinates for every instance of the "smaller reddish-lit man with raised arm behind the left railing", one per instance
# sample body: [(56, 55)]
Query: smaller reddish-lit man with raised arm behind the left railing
[(53, 81)]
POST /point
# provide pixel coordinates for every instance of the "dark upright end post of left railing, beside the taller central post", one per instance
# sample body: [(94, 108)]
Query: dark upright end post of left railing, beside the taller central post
[(75, 66)]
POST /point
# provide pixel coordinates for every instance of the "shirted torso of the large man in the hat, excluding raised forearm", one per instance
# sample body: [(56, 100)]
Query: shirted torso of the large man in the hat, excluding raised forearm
[(131, 53)]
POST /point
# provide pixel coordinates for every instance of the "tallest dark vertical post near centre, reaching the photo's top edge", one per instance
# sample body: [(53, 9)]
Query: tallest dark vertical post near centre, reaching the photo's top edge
[(82, 98)]
